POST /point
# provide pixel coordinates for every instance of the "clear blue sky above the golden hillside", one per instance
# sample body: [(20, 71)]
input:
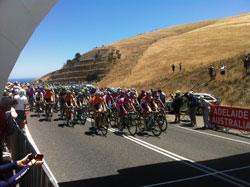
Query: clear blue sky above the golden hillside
[(80, 25)]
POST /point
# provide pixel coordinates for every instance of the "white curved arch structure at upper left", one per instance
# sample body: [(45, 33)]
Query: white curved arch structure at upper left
[(18, 20)]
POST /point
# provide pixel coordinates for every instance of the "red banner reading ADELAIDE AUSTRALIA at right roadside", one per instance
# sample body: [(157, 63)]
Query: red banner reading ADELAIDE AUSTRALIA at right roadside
[(235, 118)]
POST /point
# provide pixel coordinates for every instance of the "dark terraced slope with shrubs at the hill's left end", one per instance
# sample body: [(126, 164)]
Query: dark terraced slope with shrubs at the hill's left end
[(92, 65)]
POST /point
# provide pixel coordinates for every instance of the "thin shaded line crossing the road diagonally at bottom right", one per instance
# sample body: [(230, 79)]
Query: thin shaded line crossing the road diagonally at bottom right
[(196, 177)]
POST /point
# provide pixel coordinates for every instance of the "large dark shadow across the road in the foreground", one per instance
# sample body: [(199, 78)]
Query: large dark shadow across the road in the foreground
[(169, 171)]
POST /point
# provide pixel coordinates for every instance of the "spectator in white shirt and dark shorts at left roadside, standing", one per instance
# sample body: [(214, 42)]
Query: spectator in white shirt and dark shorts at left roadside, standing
[(20, 108)]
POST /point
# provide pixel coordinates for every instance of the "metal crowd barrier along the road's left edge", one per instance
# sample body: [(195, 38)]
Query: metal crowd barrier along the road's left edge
[(19, 146)]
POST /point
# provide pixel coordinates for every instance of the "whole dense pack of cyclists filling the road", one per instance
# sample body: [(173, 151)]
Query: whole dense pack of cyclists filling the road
[(70, 100)]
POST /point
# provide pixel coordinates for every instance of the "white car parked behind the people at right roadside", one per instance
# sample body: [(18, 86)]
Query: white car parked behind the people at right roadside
[(209, 97)]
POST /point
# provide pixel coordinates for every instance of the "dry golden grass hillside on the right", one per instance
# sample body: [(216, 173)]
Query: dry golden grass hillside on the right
[(147, 59)]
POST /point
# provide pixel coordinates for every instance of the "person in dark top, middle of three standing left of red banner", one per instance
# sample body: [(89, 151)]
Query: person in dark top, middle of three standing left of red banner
[(193, 104)]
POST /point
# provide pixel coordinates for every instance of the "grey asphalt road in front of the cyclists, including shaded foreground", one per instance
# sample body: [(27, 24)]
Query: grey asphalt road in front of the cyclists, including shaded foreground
[(183, 156)]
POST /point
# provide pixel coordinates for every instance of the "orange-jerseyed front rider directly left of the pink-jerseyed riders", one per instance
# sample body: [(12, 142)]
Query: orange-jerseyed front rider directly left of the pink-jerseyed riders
[(97, 106)]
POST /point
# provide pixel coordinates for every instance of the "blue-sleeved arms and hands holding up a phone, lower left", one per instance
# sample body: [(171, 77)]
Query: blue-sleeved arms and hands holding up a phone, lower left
[(25, 164)]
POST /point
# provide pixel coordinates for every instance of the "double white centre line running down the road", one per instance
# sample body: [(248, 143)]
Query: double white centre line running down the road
[(184, 160)]
